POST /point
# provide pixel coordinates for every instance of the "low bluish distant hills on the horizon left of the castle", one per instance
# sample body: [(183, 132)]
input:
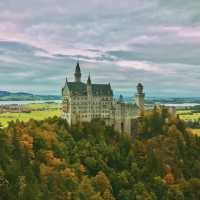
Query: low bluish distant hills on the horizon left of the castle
[(22, 96)]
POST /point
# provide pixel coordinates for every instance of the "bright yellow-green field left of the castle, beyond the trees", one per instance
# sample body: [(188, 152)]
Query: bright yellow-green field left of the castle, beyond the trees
[(44, 110)]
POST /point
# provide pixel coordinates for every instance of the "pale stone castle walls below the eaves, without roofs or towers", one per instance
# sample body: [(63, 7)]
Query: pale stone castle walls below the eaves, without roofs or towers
[(78, 109)]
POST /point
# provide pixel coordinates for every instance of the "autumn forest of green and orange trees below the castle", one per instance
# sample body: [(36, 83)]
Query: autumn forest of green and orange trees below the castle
[(47, 159)]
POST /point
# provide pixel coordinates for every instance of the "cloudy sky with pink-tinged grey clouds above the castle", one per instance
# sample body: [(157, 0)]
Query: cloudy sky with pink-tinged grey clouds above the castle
[(123, 42)]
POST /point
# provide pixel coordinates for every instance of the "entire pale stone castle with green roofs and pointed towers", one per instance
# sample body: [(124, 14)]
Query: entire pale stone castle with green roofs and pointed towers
[(83, 102)]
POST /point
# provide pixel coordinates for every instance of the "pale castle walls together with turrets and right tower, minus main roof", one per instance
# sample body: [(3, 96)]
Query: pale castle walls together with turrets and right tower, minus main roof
[(83, 108)]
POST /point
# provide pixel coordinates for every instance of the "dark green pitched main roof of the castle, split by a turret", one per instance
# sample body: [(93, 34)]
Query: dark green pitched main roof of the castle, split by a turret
[(80, 88)]
